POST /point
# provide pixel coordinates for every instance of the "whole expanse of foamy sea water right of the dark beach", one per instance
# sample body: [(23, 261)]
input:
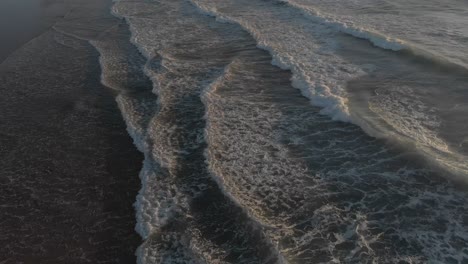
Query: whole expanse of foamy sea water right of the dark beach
[(295, 131)]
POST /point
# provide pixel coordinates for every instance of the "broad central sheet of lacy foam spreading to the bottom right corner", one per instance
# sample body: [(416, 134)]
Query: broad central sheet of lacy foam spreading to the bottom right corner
[(308, 178)]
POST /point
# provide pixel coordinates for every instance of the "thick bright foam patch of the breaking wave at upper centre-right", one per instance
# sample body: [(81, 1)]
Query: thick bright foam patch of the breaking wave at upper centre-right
[(296, 50)]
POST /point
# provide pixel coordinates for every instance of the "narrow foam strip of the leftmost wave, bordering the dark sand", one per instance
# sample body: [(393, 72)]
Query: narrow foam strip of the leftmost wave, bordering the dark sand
[(163, 138)]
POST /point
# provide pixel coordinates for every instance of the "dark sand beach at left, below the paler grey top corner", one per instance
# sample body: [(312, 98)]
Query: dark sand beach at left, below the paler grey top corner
[(69, 171)]
